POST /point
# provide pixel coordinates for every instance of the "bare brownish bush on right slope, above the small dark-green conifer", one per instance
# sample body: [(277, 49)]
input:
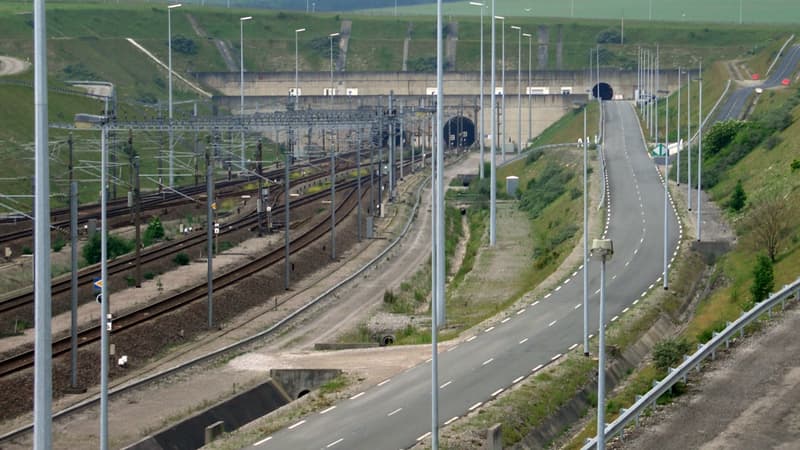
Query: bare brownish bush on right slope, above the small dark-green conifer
[(770, 221)]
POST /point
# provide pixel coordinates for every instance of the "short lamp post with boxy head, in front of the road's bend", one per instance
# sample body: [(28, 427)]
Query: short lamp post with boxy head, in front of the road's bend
[(602, 250)]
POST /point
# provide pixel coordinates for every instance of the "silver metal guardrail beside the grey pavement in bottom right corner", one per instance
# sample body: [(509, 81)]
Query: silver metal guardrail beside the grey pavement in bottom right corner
[(693, 362)]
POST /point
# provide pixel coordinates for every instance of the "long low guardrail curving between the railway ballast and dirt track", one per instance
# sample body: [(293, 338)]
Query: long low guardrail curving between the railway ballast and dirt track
[(236, 345)]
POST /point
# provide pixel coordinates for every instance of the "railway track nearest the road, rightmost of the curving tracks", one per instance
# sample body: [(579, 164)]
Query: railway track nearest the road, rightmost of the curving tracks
[(130, 320)]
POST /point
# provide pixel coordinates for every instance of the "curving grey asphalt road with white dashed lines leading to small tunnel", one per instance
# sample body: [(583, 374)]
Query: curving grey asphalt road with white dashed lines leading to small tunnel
[(396, 412)]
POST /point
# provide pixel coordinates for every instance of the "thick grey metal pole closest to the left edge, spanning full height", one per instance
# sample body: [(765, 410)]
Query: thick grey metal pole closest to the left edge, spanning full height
[(43, 350)]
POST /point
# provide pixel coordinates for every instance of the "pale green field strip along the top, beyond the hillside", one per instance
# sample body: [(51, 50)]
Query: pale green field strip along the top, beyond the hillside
[(726, 11)]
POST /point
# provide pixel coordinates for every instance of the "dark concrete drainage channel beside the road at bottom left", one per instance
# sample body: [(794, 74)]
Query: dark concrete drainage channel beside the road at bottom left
[(283, 387)]
